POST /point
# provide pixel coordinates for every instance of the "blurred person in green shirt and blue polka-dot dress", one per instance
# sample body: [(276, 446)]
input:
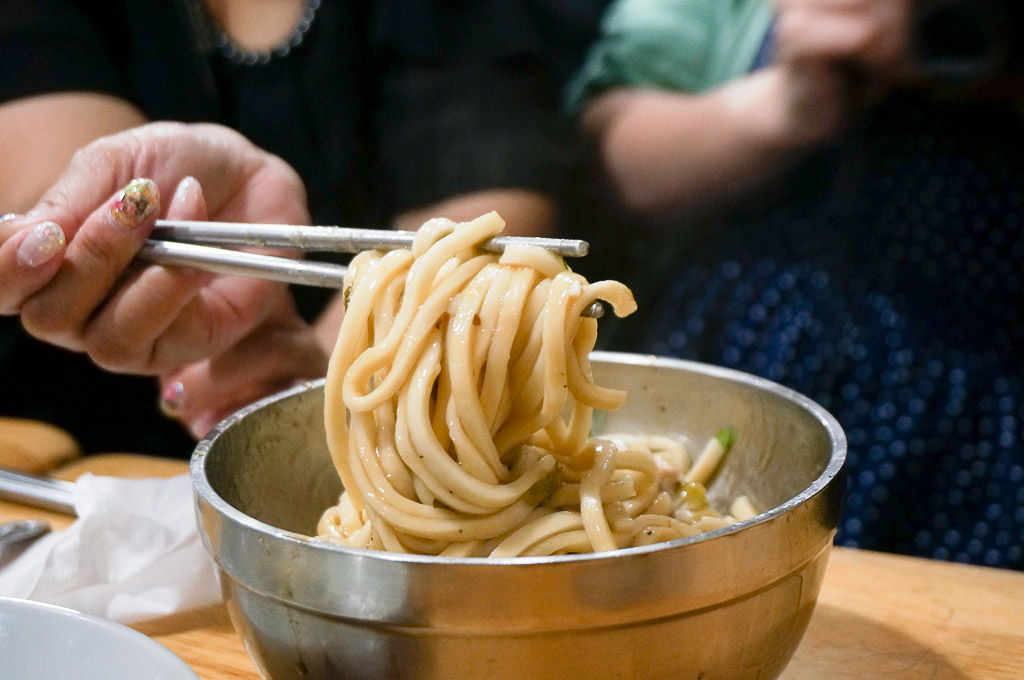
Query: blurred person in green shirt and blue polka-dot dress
[(835, 195)]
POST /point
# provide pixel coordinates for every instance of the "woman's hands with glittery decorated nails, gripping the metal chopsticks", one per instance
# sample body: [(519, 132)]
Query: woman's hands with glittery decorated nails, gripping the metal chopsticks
[(68, 266)]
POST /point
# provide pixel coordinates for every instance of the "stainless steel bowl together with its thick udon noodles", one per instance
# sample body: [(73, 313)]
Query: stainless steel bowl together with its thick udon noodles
[(474, 493)]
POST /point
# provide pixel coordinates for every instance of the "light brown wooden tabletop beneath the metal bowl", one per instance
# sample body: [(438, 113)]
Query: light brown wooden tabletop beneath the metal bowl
[(879, 617)]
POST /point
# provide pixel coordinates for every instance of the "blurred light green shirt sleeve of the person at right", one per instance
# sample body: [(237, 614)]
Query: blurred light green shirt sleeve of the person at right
[(688, 46)]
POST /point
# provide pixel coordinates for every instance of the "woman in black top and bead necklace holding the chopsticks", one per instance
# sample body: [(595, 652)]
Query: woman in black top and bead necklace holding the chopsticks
[(376, 115)]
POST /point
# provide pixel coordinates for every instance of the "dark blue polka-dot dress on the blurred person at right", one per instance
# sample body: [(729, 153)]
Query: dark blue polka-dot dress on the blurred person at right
[(894, 299)]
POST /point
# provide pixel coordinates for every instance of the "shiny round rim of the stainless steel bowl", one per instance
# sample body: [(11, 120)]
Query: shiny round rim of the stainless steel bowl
[(204, 490)]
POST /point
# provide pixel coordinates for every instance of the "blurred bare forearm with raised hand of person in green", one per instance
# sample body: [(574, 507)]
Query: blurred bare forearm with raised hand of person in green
[(670, 150)]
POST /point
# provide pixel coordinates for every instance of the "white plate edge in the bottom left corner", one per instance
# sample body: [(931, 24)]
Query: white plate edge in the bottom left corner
[(47, 643)]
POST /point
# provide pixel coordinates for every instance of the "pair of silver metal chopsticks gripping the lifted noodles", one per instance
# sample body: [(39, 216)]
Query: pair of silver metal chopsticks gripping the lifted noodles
[(201, 245)]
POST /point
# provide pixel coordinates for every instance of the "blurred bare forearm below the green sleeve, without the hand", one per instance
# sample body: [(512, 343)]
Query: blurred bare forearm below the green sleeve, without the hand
[(667, 151)]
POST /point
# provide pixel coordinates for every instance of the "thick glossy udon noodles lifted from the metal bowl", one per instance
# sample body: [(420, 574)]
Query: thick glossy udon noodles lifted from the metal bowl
[(458, 411)]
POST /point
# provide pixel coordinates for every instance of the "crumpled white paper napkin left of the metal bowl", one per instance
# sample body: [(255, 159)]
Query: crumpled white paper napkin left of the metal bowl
[(135, 555)]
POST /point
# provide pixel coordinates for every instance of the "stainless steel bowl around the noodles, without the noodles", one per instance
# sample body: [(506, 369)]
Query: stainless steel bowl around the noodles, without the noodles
[(732, 604)]
